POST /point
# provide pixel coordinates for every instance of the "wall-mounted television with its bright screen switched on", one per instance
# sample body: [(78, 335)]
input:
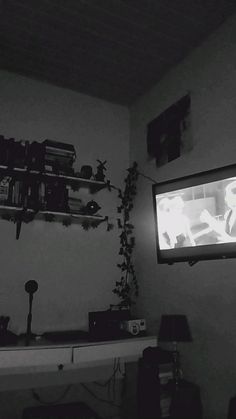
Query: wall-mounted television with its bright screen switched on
[(195, 216)]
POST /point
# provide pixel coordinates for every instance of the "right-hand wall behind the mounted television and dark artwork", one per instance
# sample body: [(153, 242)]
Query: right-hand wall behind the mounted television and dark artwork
[(206, 292)]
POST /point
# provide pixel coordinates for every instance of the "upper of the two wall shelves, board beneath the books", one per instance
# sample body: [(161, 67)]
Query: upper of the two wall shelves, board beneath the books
[(73, 181)]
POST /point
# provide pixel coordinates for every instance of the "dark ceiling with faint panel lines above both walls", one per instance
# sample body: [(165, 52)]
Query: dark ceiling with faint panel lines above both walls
[(112, 49)]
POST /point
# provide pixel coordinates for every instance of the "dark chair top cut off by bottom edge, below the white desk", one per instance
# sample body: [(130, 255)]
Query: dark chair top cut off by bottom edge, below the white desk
[(60, 411)]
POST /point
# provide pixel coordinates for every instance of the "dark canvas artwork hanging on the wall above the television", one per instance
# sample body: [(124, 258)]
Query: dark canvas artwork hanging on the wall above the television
[(169, 135)]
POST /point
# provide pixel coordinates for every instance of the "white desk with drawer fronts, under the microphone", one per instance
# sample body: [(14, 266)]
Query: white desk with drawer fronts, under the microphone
[(43, 364)]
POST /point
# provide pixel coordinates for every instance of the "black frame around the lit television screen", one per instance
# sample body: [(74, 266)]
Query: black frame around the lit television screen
[(193, 254)]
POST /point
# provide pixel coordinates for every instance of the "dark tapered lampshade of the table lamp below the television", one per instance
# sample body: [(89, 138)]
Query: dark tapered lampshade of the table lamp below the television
[(174, 328)]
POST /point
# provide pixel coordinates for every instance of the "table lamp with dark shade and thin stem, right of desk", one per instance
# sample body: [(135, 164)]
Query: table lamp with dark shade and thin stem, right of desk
[(174, 328)]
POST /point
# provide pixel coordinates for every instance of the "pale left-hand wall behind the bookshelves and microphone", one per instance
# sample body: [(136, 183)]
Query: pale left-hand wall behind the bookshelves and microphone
[(76, 270)]
